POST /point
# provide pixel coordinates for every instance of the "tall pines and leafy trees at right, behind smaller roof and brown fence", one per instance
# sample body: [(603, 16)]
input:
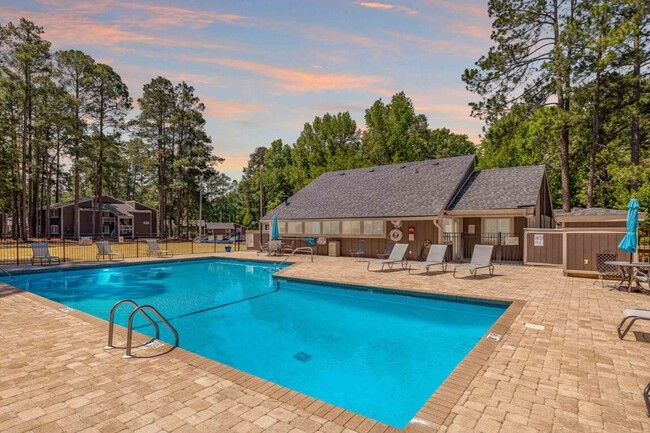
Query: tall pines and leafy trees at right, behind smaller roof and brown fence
[(566, 84)]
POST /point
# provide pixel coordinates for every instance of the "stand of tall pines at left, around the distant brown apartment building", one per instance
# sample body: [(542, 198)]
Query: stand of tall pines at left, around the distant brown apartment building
[(67, 131)]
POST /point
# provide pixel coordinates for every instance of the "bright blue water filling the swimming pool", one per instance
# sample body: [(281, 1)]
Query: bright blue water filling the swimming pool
[(380, 355)]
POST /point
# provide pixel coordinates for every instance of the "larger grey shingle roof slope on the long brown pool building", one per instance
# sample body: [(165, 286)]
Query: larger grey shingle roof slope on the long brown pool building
[(411, 189)]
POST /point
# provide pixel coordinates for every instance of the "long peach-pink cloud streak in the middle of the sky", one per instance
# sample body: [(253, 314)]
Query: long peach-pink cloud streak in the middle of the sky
[(296, 80)]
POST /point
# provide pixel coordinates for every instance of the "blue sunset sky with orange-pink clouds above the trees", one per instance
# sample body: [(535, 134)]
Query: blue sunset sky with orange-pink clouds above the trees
[(263, 68)]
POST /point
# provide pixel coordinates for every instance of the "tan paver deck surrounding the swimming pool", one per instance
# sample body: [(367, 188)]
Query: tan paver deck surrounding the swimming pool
[(573, 376)]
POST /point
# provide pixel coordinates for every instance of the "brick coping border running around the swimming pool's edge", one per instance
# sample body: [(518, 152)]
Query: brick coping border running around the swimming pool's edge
[(431, 416)]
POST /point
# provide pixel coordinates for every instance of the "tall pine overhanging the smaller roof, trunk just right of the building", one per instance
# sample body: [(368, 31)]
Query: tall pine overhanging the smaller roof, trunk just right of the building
[(530, 64)]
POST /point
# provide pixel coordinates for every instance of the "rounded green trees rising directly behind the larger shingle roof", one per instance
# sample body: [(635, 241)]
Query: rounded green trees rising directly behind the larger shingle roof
[(393, 133)]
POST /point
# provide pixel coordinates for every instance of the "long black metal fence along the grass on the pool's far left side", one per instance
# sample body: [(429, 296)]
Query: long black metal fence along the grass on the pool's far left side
[(15, 252)]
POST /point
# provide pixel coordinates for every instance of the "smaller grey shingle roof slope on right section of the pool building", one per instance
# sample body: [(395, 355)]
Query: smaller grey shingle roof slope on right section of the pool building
[(501, 188)]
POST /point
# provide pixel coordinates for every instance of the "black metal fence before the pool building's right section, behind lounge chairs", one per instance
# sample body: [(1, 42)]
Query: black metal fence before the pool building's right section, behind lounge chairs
[(508, 247)]
